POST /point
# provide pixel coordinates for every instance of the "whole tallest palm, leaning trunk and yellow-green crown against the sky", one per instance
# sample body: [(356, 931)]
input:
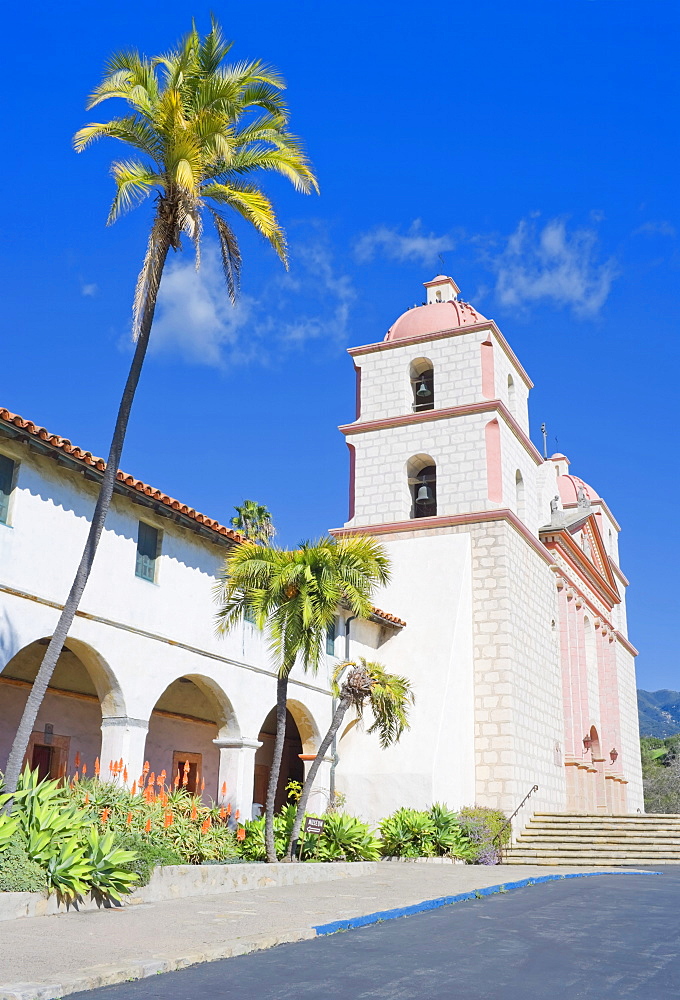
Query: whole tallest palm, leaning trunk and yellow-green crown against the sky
[(201, 127)]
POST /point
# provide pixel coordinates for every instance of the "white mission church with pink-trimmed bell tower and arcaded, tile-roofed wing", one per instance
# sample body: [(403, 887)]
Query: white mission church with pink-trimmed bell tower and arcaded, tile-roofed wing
[(506, 605)]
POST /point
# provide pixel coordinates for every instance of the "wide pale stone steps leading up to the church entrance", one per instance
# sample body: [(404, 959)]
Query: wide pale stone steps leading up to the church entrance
[(577, 839)]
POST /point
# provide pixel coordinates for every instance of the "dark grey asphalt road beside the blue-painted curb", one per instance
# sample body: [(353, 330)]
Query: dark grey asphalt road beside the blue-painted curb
[(602, 938)]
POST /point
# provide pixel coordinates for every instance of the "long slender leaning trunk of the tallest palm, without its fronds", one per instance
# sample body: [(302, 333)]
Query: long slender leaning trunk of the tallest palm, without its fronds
[(156, 256)]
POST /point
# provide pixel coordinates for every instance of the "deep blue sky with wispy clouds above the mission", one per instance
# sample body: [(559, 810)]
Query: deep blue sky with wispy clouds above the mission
[(534, 145)]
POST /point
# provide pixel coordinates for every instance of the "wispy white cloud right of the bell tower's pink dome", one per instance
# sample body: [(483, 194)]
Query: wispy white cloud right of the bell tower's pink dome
[(552, 264)]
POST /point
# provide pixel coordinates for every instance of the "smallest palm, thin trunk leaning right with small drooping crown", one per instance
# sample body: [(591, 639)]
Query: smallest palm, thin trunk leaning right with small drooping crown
[(389, 697)]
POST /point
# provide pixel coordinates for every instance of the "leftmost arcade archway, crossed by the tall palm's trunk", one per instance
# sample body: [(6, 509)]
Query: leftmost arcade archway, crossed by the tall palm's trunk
[(68, 726)]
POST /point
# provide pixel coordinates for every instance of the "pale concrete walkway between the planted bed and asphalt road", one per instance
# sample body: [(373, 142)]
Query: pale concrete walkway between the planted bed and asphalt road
[(51, 956)]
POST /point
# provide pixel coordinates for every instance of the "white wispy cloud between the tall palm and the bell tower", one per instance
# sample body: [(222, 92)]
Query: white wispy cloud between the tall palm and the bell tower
[(195, 319)]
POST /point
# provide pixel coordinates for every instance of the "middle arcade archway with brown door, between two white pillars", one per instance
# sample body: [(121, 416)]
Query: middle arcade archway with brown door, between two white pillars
[(191, 713)]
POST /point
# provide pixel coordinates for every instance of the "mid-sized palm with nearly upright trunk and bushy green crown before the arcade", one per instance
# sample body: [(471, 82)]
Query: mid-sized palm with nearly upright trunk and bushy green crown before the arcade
[(293, 596)]
